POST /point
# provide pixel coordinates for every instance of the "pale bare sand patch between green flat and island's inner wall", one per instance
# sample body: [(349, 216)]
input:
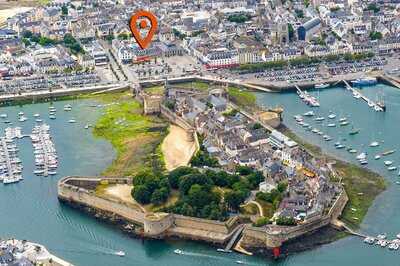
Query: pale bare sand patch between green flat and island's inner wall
[(177, 148)]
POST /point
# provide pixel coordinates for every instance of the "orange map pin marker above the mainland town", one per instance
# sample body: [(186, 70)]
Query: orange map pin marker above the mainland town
[(141, 17)]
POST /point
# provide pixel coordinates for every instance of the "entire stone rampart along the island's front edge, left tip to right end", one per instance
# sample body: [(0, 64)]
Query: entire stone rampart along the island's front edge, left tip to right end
[(79, 192)]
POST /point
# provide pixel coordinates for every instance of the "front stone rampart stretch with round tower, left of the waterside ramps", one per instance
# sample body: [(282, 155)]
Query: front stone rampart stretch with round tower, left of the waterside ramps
[(80, 191)]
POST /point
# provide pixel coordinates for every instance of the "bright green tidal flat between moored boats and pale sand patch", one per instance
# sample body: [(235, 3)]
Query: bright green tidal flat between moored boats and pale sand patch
[(135, 137)]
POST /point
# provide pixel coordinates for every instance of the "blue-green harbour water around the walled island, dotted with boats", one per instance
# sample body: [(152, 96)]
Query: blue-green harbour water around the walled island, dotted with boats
[(30, 209)]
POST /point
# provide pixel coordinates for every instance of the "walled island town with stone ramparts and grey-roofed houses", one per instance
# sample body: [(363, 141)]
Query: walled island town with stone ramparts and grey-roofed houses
[(303, 192)]
